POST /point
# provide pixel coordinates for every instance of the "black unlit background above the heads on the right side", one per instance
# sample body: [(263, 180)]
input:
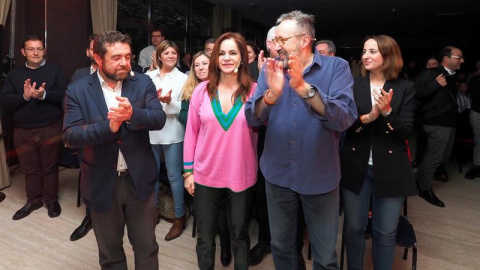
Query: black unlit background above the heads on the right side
[(414, 23)]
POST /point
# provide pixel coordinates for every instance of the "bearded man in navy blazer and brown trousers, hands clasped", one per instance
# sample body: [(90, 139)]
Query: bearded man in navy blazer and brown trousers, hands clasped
[(108, 114)]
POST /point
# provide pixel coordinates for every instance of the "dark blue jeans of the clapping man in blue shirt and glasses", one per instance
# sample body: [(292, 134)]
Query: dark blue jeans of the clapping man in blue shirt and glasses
[(321, 216)]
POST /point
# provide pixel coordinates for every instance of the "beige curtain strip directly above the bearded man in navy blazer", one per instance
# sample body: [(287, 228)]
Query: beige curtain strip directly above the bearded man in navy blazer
[(104, 15)]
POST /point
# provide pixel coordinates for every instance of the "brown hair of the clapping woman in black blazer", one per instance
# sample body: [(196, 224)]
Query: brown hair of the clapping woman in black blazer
[(392, 56)]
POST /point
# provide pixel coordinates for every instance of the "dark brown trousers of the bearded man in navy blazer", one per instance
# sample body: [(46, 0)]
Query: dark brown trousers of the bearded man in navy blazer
[(140, 218)]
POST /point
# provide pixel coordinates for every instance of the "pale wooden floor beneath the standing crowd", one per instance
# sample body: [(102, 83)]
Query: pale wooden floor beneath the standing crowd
[(448, 238)]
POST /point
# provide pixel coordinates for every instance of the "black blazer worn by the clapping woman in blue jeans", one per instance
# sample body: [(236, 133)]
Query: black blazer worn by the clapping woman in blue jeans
[(386, 137)]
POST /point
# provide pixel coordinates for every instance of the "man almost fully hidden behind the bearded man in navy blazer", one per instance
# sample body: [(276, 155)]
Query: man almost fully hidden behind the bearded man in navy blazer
[(86, 224)]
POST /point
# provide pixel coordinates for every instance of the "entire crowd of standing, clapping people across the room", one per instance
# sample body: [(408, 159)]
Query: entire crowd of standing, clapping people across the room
[(276, 139)]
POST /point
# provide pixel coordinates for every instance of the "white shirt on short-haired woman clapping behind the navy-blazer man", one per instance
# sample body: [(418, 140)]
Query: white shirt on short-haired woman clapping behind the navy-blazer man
[(173, 131)]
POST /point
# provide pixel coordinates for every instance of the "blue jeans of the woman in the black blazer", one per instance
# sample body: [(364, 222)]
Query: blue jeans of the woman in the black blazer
[(385, 214)]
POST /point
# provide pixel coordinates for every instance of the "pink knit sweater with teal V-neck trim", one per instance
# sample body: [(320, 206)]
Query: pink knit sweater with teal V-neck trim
[(220, 149)]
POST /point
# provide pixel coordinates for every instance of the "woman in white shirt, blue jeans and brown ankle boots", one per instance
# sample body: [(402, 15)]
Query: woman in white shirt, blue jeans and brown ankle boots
[(169, 82)]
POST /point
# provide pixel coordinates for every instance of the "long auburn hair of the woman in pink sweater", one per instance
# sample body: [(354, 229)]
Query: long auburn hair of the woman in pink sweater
[(244, 79)]
